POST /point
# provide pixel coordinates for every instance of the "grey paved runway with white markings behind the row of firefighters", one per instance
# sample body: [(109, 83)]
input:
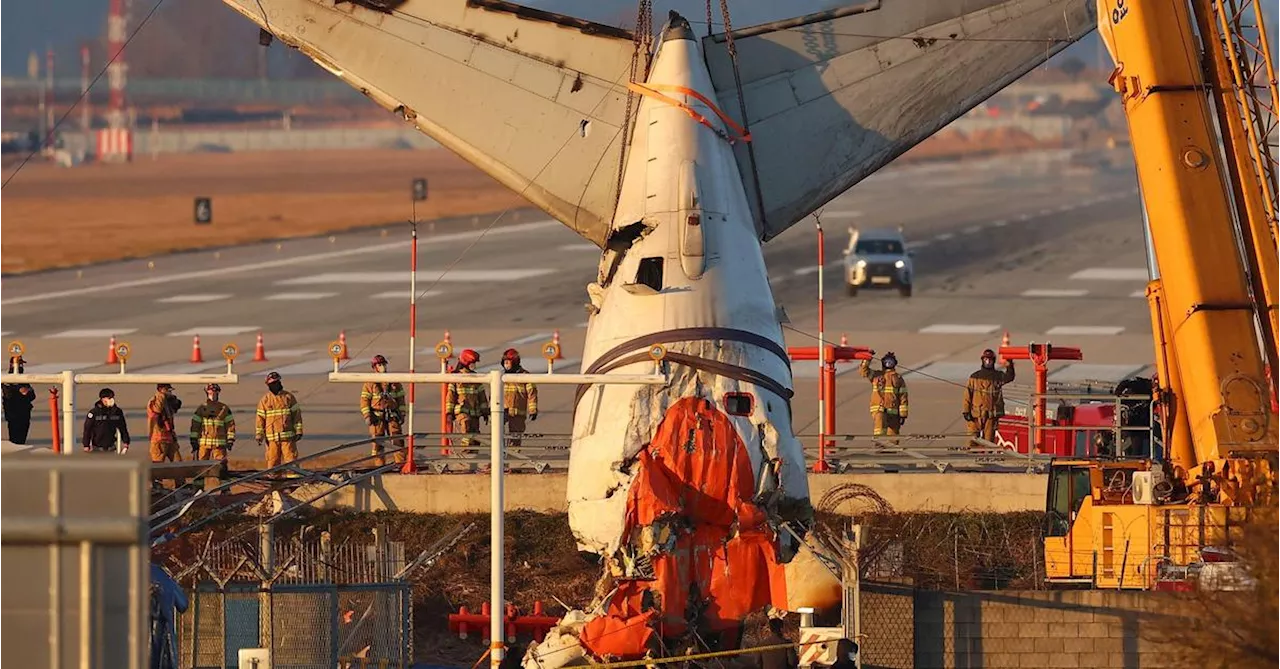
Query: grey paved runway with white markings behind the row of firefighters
[(1031, 245)]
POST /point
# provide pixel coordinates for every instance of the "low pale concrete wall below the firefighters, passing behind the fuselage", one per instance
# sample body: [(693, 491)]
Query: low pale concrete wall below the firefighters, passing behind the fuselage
[(546, 492)]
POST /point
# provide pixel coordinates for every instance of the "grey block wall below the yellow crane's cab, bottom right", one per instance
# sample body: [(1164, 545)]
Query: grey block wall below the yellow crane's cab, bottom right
[(1014, 629)]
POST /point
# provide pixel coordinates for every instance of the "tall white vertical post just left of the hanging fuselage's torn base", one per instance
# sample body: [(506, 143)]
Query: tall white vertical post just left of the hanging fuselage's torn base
[(497, 599)]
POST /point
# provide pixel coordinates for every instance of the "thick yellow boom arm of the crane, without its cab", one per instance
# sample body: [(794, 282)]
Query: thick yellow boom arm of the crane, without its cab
[(1209, 310)]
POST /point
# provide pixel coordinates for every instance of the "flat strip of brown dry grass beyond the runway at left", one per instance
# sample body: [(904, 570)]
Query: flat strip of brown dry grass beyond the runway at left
[(54, 218)]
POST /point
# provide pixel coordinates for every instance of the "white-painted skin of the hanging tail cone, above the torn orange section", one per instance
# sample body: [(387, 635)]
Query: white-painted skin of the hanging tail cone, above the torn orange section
[(673, 155)]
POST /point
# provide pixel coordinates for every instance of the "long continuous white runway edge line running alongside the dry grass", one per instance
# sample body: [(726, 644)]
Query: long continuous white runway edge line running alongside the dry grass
[(282, 263)]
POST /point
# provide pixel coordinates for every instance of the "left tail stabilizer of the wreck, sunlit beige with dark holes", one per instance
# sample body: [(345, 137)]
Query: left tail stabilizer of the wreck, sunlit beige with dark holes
[(536, 100)]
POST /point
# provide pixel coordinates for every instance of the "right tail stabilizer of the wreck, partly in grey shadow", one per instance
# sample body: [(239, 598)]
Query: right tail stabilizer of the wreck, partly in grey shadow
[(834, 97)]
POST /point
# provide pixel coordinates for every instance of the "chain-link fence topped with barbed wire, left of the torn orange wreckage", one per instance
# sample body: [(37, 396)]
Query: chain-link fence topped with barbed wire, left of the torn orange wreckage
[(309, 604)]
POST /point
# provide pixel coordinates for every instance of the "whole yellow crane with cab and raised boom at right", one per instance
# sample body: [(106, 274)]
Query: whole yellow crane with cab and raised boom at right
[(1200, 97)]
